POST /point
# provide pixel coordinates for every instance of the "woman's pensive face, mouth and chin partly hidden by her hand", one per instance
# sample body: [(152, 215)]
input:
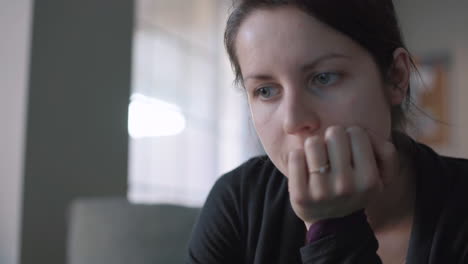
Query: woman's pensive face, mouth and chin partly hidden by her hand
[(302, 76)]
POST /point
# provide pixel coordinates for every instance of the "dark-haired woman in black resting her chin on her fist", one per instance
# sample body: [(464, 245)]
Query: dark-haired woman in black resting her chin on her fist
[(327, 85)]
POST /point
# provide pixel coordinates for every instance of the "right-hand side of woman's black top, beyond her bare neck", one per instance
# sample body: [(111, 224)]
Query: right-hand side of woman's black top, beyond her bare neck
[(442, 189)]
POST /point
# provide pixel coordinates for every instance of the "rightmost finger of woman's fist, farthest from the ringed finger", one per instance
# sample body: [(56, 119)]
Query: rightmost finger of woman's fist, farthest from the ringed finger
[(365, 165)]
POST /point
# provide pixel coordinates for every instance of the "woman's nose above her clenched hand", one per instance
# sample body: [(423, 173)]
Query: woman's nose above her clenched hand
[(301, 118)]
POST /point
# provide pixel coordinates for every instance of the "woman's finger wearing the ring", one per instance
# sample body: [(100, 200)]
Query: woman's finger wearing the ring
[(317, 157)]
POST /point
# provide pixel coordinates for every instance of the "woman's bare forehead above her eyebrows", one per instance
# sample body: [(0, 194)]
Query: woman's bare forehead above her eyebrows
[(287, 35)]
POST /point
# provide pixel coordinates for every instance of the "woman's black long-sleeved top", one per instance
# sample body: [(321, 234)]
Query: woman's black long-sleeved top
[(248, 218)]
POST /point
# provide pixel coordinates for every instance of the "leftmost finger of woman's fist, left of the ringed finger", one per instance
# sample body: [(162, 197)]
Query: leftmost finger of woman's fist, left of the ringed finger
[(297, 177)]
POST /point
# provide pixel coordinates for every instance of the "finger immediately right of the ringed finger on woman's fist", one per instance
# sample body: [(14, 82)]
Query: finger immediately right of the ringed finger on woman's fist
[(339, 153)]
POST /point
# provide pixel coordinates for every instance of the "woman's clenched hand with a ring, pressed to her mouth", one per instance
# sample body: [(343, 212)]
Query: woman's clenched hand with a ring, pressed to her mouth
[(355, 165)]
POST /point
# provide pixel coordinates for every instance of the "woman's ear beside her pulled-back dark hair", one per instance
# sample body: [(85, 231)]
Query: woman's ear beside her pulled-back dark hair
[(399, 76)]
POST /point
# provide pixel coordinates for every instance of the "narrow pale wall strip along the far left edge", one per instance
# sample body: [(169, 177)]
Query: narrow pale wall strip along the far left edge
[(15, 28)]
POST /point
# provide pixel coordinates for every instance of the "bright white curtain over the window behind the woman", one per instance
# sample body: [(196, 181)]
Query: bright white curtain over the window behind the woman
[(182, 84)]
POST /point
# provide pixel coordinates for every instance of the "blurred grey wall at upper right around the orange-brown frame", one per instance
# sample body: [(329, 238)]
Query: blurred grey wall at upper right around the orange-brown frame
[(434, 26)]
